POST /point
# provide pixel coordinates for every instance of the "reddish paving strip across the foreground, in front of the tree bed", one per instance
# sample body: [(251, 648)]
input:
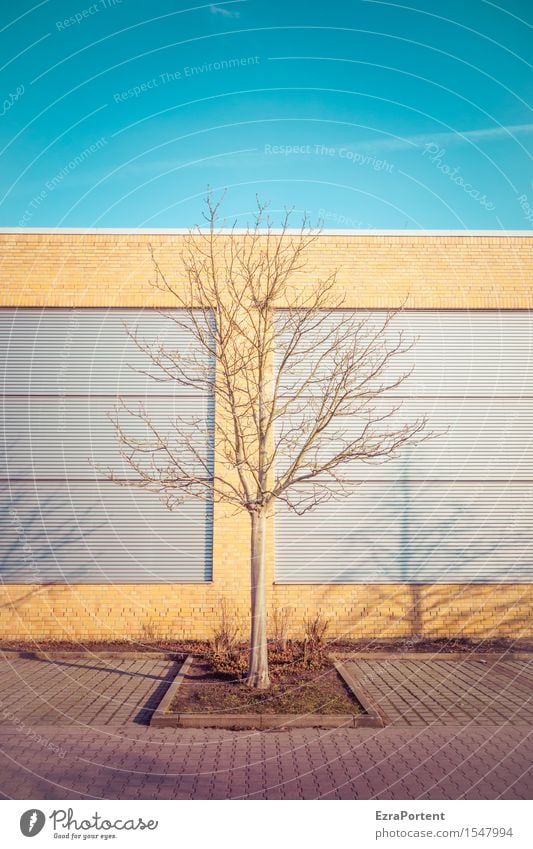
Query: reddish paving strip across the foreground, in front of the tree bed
[(136, 762)]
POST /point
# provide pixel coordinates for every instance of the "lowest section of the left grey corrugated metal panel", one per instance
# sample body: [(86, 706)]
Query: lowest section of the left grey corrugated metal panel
[(99, 533)]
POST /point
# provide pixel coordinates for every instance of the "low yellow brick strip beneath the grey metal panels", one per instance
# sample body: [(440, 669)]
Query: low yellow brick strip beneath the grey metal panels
[(184, 611)]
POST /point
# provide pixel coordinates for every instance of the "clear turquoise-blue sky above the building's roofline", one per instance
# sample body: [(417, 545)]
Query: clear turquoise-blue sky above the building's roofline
[(365, 114)]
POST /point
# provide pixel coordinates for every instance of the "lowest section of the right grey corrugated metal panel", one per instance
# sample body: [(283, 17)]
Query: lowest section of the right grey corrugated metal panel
[(408, 532)]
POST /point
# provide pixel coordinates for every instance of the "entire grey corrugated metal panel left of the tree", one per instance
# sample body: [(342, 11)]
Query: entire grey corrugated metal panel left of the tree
[(63, 372)]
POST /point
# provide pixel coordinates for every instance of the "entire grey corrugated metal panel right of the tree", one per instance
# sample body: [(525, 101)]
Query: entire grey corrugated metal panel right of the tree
[(457, 508)]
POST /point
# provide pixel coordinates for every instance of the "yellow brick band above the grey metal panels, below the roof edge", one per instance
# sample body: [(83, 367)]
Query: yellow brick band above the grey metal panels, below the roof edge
[(111, 270)]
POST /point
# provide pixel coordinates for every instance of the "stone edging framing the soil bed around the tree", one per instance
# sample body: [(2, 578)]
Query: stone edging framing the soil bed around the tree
[(163, 718)]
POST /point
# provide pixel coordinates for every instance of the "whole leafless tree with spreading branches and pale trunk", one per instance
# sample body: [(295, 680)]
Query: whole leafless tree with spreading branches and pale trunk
[(298, 383)]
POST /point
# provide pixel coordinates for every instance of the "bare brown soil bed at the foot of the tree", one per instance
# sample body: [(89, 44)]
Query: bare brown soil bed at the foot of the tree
[(292, 691)]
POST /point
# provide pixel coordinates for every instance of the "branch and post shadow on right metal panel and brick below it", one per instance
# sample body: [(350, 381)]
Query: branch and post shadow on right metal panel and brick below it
[(487, 603)]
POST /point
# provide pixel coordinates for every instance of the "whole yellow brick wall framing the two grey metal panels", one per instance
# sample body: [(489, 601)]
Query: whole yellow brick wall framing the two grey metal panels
[(111, 270)]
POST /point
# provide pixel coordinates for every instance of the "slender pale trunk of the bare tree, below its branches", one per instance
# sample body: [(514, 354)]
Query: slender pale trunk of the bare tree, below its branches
[(258, 661)]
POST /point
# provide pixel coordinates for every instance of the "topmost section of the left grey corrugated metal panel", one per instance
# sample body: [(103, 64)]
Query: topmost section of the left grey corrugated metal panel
[(64, 352)]
